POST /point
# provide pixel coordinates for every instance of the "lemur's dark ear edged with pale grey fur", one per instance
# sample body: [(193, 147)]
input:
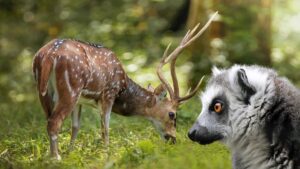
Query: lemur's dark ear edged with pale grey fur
[(247, 89)]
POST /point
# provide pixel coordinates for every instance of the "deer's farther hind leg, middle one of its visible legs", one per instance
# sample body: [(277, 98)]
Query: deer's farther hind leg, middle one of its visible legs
[(75, 123)]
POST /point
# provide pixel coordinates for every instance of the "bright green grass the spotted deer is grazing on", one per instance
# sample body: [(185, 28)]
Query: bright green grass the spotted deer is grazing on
[(134, 143)]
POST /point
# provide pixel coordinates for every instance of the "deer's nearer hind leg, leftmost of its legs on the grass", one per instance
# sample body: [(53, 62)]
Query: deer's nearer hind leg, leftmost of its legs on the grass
[(61, 110)]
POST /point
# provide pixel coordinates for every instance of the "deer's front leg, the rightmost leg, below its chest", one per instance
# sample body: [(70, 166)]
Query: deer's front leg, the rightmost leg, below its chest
[(106, 107)]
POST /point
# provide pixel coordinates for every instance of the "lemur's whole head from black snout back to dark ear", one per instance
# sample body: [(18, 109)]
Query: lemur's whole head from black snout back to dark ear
[(226, 92)]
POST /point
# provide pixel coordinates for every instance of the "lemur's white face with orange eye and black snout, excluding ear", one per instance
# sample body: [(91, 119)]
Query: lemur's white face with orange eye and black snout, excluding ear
[(212, 123)]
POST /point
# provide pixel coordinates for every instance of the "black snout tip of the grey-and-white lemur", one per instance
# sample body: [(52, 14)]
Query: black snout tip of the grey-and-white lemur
[(201, 134)]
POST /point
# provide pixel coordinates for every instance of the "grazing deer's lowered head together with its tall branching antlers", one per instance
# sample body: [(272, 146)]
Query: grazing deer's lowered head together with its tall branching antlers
[(161, 107)]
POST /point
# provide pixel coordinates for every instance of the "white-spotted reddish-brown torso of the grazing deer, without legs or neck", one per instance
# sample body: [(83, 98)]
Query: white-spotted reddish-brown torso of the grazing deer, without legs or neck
[(79, 67)]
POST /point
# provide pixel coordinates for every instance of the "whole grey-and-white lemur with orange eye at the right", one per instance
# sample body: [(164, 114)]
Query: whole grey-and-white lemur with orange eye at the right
[(261, 132)]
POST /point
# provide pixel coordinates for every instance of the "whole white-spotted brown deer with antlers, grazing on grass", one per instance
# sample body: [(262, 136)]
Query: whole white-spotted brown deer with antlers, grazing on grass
[(67, 70)]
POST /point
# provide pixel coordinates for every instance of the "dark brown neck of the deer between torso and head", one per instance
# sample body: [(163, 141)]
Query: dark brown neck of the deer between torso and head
[(133, 100)]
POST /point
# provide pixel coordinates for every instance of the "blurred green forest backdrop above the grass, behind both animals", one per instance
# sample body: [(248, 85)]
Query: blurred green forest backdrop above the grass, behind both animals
[(260, 32)]
